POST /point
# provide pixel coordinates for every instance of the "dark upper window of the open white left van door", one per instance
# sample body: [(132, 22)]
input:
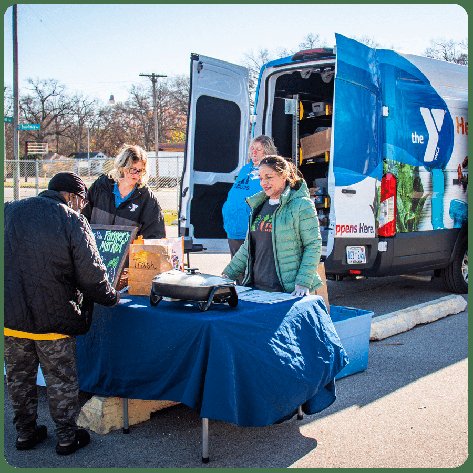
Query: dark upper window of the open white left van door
[(217, 135)]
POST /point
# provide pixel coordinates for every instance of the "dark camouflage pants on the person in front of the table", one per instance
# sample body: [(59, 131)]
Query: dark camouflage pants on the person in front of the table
[(58, 363)]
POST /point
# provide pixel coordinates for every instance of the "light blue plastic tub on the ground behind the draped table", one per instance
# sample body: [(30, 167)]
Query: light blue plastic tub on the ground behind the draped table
[(353, 327)]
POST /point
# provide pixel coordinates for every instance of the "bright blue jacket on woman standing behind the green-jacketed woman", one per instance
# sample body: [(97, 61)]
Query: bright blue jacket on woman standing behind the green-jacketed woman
[(236, 211)]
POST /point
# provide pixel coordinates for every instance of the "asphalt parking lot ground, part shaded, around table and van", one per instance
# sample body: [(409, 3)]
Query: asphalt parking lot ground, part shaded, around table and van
[(409, 409)]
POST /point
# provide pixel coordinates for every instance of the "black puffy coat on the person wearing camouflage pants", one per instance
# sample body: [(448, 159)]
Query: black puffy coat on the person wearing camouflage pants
[(51, 264)]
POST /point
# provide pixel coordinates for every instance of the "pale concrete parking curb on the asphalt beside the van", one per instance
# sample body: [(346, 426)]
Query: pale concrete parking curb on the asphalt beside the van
[(390, 324)]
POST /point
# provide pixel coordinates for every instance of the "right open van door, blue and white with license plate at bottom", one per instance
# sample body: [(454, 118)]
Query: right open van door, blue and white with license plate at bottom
[(356, 167)]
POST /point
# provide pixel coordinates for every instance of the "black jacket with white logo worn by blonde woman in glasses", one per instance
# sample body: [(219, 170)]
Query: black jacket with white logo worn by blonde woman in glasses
[(141, 210)]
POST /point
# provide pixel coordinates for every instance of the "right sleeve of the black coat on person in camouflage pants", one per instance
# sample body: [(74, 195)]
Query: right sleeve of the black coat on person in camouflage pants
[(90, 272)]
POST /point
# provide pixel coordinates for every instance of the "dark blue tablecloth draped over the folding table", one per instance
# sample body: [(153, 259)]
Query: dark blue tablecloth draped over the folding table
[(252, 365)]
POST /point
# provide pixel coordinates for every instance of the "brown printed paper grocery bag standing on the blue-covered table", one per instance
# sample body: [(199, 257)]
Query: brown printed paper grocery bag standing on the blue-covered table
[(146, 261)]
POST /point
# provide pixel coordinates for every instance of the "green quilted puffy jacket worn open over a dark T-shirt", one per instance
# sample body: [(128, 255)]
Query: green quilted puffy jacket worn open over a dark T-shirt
[(296, 238)]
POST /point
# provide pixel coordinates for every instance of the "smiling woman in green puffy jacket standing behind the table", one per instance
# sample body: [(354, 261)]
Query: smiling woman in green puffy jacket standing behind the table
[(282, 248)]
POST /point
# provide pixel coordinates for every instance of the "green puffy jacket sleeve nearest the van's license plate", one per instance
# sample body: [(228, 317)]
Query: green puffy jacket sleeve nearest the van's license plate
[(311, 246)]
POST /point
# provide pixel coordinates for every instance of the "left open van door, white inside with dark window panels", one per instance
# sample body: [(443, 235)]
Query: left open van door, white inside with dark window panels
[(216, 147)]
